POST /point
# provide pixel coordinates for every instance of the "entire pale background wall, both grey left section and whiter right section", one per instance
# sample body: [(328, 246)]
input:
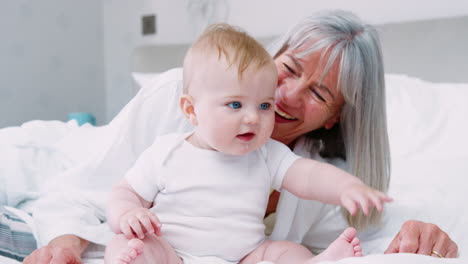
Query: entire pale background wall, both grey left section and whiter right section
[(59, 56)]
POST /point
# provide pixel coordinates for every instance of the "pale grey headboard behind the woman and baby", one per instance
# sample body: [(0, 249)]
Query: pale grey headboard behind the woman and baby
[(435, 50)]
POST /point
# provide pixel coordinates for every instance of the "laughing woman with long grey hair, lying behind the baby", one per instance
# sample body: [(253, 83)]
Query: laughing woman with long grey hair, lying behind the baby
[(330, 104)]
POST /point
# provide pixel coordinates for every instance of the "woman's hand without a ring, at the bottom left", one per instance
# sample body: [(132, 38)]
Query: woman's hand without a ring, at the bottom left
[(65, 249)]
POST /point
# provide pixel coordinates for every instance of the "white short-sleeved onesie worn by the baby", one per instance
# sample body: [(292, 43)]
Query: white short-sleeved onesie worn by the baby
[(209, 203)]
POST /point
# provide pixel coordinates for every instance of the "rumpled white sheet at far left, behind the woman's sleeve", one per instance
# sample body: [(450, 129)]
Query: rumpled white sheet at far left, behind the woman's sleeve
[(37, 152)]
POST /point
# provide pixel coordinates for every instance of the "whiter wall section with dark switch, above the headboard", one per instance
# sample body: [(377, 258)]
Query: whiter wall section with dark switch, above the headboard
[(259, 17)]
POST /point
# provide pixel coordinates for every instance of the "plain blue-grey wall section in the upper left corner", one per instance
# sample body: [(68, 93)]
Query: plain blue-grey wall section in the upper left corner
[(52, 60)]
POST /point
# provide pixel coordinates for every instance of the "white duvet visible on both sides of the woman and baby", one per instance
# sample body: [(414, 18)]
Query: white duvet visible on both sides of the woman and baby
[(428, 131)]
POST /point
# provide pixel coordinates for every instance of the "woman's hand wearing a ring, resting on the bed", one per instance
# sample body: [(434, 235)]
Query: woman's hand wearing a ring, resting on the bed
[(423, 238)]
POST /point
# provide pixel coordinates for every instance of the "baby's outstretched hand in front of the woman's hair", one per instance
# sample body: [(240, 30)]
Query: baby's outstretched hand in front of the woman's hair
[(360, 195)]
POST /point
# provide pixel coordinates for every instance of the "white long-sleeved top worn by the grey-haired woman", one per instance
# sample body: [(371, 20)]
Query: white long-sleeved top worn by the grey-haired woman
[(75, 202)]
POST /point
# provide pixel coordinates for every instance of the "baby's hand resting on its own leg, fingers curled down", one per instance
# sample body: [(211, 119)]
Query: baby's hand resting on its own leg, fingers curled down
[(138, 222)]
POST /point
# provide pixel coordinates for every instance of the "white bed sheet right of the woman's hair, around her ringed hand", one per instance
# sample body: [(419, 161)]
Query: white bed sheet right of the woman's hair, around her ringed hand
[(429, 148)]
